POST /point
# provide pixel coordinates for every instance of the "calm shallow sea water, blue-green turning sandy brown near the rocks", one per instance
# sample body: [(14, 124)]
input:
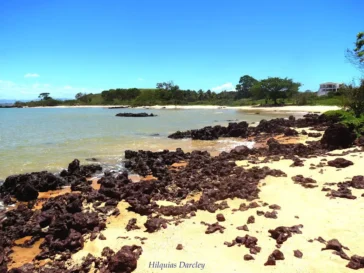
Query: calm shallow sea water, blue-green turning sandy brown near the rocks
[(34, 139)]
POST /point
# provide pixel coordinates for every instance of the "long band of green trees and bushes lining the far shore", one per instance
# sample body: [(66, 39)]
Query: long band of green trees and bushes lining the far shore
[(249, 91)]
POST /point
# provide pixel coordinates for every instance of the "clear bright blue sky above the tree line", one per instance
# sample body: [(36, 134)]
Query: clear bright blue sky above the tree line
[(64, 46)]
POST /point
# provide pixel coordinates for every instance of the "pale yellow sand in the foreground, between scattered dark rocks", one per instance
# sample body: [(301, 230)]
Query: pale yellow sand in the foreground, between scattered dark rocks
[(321, 216)]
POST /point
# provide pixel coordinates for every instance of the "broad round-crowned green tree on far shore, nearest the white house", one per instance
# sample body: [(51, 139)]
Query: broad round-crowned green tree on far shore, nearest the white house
[(275, 88)]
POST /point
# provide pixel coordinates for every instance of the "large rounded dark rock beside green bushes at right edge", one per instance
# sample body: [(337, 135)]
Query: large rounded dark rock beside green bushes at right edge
[(338, 136)]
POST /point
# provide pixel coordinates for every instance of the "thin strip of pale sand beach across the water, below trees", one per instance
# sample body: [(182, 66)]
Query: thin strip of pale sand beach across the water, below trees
[(281, 109)]
